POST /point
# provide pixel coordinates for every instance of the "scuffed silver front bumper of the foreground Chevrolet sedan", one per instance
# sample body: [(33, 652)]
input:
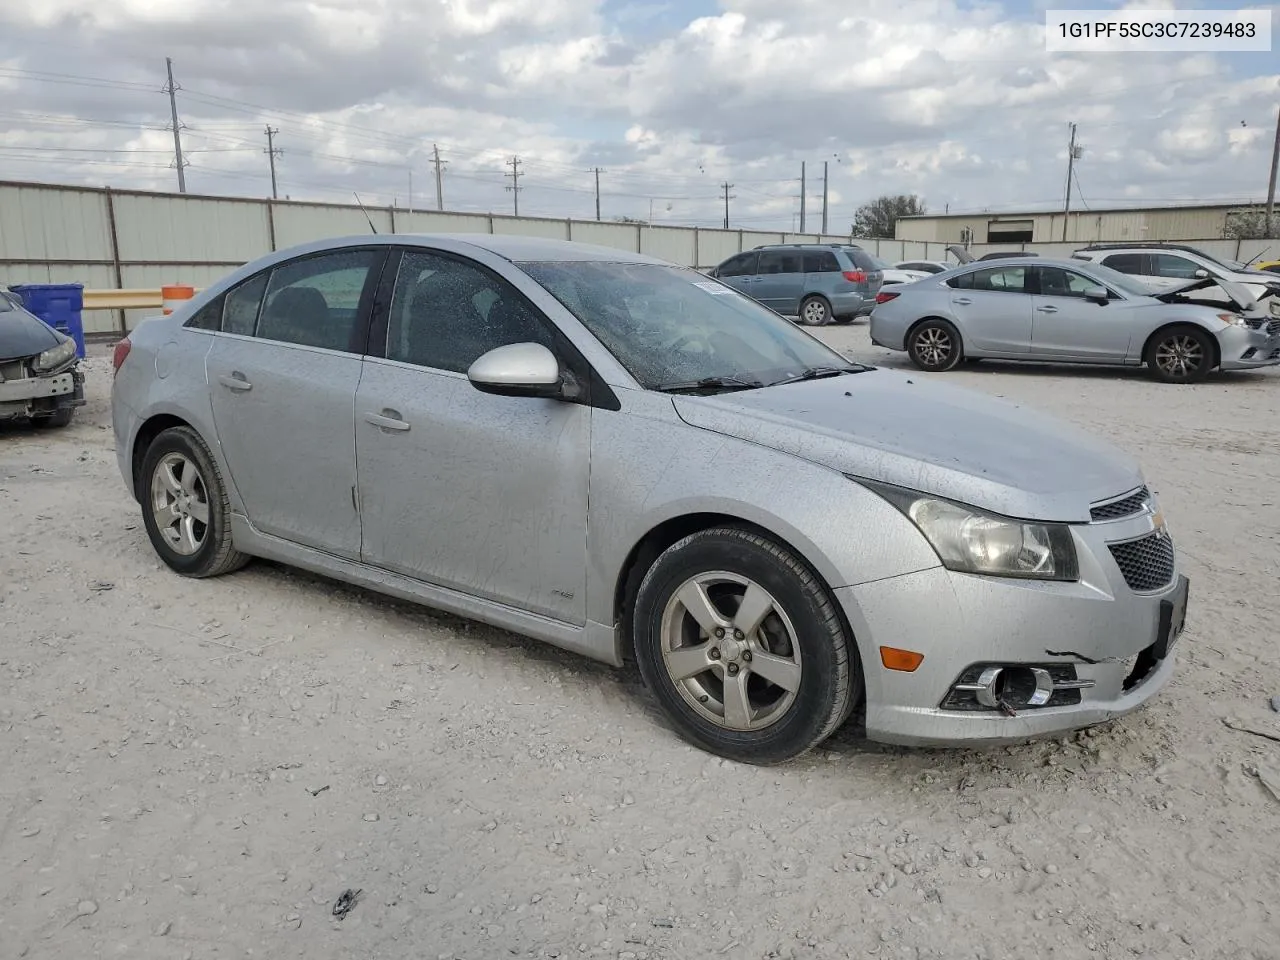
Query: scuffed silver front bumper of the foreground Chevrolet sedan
[(1098, 627)]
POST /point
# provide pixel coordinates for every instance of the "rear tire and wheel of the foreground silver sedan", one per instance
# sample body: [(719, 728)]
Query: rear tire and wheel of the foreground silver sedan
[(180, 483)]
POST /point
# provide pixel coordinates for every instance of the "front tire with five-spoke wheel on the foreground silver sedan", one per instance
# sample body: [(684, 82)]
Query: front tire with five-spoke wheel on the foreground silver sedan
[(812, 655)]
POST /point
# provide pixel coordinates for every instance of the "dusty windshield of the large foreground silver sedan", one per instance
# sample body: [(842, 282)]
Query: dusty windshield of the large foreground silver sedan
[(674, 326)]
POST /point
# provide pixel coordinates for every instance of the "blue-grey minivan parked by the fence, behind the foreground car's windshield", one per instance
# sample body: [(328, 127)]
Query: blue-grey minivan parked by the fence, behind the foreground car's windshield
[(815, 282)]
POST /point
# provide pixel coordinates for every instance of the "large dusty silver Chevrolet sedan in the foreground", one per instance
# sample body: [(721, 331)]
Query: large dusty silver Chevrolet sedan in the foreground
[(629, 460)]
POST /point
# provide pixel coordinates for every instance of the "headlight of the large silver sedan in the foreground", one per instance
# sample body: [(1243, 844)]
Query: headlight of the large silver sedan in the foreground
[(973, 542)]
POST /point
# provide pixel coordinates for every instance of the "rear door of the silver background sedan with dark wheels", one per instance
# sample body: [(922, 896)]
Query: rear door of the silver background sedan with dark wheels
[(994, 308)]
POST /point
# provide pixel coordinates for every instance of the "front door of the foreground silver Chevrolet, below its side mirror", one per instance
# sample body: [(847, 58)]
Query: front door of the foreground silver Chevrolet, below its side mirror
[(463, 490)]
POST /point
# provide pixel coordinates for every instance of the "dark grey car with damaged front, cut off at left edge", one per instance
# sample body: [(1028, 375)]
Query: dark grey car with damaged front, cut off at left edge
[(40, 376)]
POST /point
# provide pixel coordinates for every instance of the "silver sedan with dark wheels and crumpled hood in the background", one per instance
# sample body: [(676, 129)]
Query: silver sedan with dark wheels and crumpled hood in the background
[(1080, 313)]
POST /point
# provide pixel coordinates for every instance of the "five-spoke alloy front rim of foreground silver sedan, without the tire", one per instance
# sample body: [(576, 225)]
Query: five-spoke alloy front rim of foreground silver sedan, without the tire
[(732, 651)]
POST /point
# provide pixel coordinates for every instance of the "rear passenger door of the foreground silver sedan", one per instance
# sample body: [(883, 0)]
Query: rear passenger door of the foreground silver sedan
[(282, 380)]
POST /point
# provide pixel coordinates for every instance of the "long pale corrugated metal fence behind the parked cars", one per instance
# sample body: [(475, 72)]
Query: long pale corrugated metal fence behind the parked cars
[(129, 240)]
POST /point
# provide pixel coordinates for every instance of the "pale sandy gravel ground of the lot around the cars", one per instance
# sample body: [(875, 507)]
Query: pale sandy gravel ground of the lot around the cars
[(199, 770)]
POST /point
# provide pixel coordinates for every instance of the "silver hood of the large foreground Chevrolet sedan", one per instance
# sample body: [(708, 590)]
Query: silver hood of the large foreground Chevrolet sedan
[(950, 442)]
